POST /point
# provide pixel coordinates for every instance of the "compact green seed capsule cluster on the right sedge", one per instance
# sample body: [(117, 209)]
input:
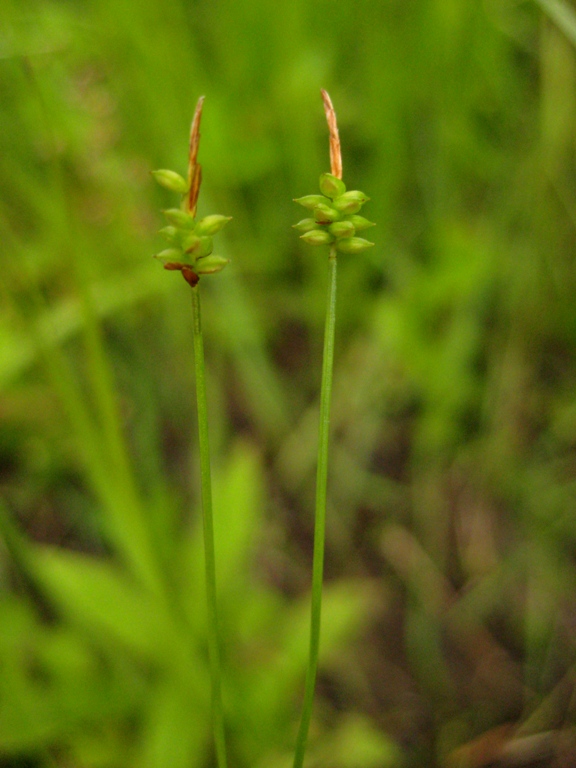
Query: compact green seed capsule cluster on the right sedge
[(336, 220)]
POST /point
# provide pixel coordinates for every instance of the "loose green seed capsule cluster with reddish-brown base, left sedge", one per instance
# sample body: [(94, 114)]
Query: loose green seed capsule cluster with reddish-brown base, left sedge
[(190, 241)]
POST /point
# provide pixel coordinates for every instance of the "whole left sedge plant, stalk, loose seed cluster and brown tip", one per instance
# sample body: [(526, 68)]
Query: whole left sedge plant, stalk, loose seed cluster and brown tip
[(190, 252)]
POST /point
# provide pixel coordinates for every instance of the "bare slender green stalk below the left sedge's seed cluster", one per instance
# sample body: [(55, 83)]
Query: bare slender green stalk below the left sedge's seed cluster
[(208, 525)]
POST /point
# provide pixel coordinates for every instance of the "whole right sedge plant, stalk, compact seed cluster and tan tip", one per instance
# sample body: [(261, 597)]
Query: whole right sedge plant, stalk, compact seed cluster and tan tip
[(334, 221)]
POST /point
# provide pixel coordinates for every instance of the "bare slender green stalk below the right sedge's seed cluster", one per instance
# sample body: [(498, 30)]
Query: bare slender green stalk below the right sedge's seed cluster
[(320, 516)]
